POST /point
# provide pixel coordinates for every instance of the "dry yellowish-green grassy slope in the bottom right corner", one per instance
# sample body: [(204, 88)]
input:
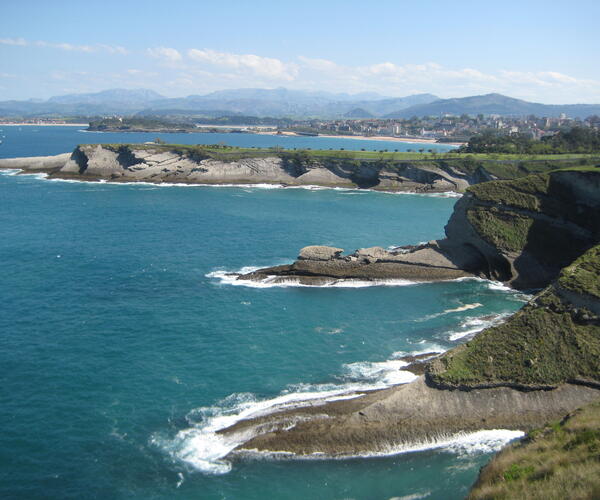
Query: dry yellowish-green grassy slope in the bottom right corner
[(557, 462)]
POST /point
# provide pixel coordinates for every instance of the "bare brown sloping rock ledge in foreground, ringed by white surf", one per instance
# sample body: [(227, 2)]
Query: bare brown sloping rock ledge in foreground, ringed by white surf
[(402, 416)]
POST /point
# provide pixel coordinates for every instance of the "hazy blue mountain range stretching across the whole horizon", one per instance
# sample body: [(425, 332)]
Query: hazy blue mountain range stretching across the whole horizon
[(282, 102)]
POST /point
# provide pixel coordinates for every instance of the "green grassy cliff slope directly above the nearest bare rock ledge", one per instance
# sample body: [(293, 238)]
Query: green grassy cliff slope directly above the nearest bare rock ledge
[(550, 341)]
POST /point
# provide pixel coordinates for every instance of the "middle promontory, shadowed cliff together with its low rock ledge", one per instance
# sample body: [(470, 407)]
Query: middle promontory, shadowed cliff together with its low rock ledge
[(522, 232)]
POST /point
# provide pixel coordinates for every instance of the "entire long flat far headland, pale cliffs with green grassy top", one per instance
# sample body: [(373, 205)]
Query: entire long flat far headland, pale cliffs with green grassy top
[(216, 164)]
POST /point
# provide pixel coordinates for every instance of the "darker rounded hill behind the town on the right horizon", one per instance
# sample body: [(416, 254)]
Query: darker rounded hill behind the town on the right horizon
[(495, 104)]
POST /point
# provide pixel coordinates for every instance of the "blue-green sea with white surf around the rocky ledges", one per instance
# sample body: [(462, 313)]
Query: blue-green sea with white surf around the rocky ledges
[(124, 345)]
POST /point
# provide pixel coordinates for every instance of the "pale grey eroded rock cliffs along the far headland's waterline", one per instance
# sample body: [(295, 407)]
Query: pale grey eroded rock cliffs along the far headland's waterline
[(155, 163)]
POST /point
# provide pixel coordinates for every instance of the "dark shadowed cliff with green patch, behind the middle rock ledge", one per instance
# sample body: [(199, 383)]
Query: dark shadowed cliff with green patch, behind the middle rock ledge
[(526, 230)]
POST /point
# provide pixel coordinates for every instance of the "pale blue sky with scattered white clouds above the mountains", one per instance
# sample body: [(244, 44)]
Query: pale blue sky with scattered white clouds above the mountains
[(543, 51)]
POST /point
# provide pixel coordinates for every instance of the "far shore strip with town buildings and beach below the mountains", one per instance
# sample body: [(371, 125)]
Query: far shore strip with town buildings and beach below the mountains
[(443, 129)]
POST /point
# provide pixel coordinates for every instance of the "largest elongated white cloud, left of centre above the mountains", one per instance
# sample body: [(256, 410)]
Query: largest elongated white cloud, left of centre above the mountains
[(262, 66)]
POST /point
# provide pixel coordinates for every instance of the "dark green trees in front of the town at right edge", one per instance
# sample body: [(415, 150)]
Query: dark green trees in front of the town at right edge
[(575, 140)]
